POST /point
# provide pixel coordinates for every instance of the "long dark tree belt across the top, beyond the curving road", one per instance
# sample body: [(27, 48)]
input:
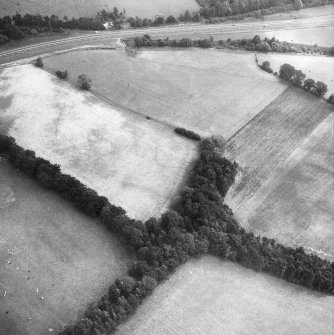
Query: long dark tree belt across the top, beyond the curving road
[(212, 11)]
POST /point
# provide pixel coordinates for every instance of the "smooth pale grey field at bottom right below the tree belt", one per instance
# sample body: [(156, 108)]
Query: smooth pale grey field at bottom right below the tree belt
[(208, 296)]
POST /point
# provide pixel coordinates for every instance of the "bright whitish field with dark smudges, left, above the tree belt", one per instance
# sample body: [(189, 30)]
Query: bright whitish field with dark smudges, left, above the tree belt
[(136, 163)]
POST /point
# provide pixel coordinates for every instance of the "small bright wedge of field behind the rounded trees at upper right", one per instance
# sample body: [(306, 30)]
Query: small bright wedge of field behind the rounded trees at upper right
[(315, 67)]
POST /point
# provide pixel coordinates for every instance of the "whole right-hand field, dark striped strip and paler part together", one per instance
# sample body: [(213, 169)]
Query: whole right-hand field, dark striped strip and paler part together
[(284, 187)]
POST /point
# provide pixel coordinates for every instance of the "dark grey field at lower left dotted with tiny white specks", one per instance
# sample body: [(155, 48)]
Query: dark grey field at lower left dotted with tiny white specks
[(53, 259)]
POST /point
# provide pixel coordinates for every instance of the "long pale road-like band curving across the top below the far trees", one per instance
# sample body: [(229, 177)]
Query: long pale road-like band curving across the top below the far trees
[(179, 31)]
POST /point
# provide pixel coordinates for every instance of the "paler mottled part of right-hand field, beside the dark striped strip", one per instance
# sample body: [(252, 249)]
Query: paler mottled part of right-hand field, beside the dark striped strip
[(300, 204)]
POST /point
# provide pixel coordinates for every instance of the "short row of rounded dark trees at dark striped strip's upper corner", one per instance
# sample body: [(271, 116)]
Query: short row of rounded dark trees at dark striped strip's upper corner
[(298, 78)]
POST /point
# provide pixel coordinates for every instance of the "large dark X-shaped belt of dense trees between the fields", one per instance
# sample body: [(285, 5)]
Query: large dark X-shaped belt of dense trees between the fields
[(200, 223)]
